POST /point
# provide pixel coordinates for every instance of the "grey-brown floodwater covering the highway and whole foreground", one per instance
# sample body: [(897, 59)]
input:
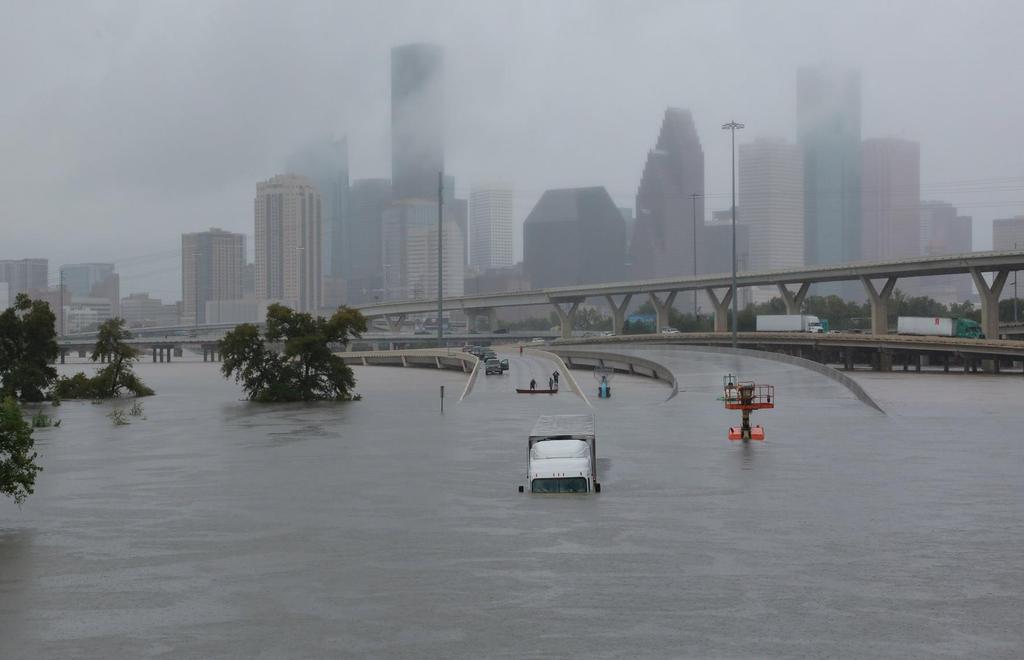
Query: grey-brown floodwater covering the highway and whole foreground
[(215, 527)]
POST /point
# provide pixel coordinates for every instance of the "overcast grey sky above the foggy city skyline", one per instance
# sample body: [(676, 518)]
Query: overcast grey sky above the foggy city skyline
[(124, 124)]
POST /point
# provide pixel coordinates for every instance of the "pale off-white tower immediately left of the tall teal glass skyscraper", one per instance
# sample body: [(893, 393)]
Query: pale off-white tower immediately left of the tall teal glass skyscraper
[(772, 196)]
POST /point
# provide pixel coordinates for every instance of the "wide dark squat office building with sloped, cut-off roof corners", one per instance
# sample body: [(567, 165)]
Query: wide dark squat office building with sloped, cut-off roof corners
[(574, 237)]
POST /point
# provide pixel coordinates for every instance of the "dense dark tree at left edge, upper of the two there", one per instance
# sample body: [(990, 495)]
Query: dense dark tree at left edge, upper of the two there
[(28, 348)]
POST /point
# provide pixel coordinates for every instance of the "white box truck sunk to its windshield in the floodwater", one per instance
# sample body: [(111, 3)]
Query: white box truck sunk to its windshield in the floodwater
[(563, 456)]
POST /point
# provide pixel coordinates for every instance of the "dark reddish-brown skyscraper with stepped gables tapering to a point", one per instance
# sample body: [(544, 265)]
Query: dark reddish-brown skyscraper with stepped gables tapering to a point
[(664, 236)]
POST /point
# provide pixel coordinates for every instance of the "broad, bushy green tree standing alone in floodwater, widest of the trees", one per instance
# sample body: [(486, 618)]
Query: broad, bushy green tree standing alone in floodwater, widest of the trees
[(306, 369)]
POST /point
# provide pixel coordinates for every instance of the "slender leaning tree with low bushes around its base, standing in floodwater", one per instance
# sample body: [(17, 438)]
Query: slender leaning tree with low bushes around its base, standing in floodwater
[(112, 347)]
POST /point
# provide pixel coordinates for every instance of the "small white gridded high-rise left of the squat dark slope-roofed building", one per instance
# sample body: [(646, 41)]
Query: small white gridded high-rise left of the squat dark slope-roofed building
[(491, 210)]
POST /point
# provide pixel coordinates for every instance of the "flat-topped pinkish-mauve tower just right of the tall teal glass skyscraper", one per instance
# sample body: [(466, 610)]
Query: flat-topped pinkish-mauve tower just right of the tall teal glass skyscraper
[(890, 198)]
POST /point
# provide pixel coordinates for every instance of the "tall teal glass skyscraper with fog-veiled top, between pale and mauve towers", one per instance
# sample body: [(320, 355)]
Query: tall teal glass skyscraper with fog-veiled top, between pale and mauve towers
[(829, 130)]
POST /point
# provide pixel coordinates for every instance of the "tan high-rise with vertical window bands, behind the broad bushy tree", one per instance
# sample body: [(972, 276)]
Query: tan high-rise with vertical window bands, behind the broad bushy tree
[(288, 242)]
